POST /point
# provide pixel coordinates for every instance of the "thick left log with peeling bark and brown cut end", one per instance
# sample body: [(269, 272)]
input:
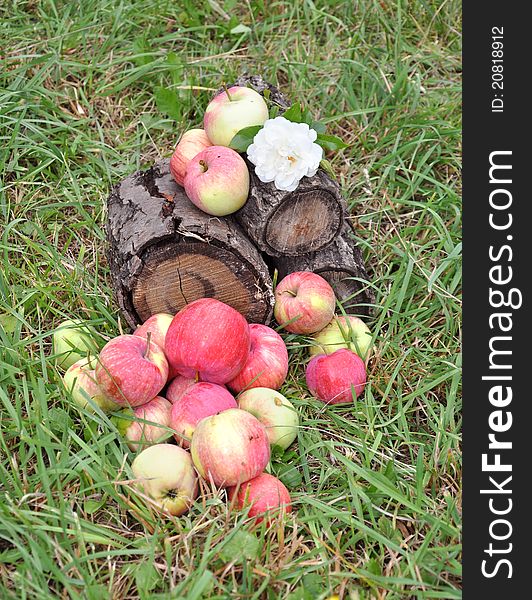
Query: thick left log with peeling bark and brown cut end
[(164, 252)]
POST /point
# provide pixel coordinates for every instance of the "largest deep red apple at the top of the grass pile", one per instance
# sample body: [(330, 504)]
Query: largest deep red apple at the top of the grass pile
[(208, 340)]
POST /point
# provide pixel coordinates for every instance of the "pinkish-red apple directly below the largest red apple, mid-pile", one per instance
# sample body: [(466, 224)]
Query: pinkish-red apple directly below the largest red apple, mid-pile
[(199, 401)]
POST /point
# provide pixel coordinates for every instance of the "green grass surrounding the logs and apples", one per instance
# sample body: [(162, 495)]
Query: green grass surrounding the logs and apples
[(377, 485)]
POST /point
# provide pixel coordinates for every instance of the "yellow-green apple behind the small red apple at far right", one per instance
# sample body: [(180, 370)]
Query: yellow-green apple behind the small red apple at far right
[(343, 332)]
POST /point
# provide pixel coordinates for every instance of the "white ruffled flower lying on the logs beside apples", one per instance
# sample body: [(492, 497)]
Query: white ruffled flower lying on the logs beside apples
[(284, 152)]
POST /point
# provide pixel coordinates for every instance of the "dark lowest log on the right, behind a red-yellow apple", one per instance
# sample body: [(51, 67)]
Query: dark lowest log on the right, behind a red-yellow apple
[(342, 265)]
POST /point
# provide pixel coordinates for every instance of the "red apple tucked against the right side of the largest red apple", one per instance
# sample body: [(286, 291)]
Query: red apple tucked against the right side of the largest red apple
[(267, 363)]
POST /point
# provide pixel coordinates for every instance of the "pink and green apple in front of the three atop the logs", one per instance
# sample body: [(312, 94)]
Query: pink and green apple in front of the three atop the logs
[(217, 181)]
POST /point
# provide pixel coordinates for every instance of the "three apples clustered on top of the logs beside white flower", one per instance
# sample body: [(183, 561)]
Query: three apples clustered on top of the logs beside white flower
[(214, 176)]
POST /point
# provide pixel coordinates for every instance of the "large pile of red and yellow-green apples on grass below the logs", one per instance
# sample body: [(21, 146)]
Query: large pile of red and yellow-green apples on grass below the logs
[(209, 380)]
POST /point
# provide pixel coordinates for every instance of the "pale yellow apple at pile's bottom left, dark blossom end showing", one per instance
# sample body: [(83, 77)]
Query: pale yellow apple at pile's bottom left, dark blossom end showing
[(166, 474)]
